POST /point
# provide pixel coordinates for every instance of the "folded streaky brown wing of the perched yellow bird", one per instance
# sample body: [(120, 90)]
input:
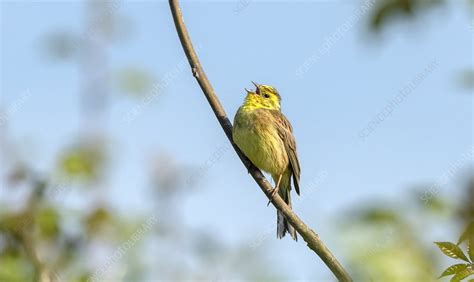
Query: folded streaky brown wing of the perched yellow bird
[(286, 134)]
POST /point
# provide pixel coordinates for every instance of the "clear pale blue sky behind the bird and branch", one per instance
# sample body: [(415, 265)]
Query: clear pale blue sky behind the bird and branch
[(267, 42)]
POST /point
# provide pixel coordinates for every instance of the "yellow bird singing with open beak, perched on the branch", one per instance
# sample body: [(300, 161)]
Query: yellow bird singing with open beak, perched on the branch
[(265, 137)]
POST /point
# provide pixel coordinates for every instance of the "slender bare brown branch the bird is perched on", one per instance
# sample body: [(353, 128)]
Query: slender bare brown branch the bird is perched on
[(309, 236)]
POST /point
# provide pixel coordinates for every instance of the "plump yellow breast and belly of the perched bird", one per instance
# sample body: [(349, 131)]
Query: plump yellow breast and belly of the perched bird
[(256, 136)]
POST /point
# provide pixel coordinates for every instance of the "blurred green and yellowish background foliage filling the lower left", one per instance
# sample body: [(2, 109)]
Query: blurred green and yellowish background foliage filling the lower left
[(41, 237)]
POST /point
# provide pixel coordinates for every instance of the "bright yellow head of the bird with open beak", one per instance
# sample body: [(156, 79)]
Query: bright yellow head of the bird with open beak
[(263, 97)]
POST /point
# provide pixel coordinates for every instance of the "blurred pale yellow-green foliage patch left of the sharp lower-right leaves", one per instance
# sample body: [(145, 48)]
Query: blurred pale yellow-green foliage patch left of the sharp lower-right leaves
[(382, 245)]
